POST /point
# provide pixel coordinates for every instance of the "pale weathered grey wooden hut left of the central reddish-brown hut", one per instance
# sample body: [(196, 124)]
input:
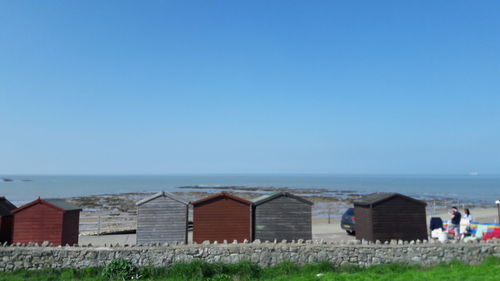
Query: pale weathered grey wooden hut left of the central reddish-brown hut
[(162, 218)]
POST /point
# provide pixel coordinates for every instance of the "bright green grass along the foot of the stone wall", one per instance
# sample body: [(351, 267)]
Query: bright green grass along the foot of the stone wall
[(488, 271)]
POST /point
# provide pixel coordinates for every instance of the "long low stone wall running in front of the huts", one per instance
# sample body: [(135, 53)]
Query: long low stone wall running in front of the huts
[(265, 254)]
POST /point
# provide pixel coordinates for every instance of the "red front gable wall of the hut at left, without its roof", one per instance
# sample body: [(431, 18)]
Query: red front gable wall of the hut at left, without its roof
[(38, 223)]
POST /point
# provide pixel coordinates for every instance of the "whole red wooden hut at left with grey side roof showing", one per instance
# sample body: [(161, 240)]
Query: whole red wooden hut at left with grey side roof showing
[(52, 220)]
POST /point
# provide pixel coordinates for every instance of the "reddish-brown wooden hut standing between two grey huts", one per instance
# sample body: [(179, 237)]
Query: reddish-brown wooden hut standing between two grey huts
[(222, 217)]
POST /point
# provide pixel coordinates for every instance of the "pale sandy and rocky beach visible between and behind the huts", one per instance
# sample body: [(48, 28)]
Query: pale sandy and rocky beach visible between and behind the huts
[(114, 215)]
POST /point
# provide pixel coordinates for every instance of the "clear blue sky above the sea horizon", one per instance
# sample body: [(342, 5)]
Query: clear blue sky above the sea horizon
[(166, 87)]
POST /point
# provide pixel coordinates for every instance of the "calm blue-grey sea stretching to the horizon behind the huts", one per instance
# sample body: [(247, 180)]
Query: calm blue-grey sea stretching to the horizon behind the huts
[(481, 189)]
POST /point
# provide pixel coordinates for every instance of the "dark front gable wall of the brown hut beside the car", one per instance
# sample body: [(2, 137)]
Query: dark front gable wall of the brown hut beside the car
[(399, 218)]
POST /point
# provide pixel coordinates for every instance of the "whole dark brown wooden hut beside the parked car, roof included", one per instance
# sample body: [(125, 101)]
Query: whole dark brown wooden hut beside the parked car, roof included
[(386, 216)]
